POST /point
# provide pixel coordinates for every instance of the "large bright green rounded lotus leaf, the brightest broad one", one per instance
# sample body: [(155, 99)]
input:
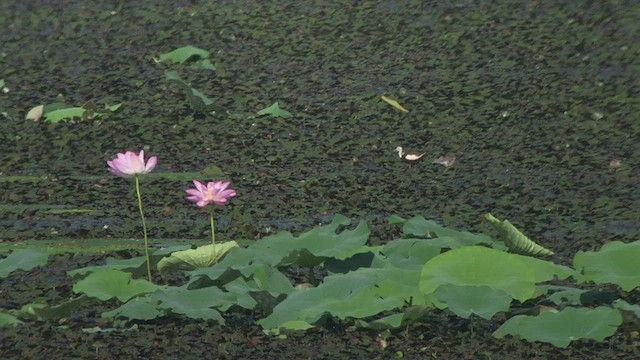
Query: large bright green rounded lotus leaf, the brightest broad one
[(479, 266)]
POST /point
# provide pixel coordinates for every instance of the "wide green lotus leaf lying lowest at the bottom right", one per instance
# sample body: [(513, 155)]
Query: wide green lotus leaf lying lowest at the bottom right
[(563, 327)]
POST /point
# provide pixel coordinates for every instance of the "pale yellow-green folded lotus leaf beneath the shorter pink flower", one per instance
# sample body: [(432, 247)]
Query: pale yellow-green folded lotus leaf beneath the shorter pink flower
[(200, 257)]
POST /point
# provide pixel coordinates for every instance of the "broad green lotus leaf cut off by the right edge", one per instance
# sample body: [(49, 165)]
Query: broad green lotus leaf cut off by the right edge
[(616, 263)]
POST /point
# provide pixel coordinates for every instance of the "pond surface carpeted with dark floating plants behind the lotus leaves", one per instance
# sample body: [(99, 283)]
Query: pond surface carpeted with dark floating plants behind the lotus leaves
[(538, 103)]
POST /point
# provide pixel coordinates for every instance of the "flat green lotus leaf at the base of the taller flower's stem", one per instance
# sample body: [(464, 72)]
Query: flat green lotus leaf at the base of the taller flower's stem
[(111, 283)]
